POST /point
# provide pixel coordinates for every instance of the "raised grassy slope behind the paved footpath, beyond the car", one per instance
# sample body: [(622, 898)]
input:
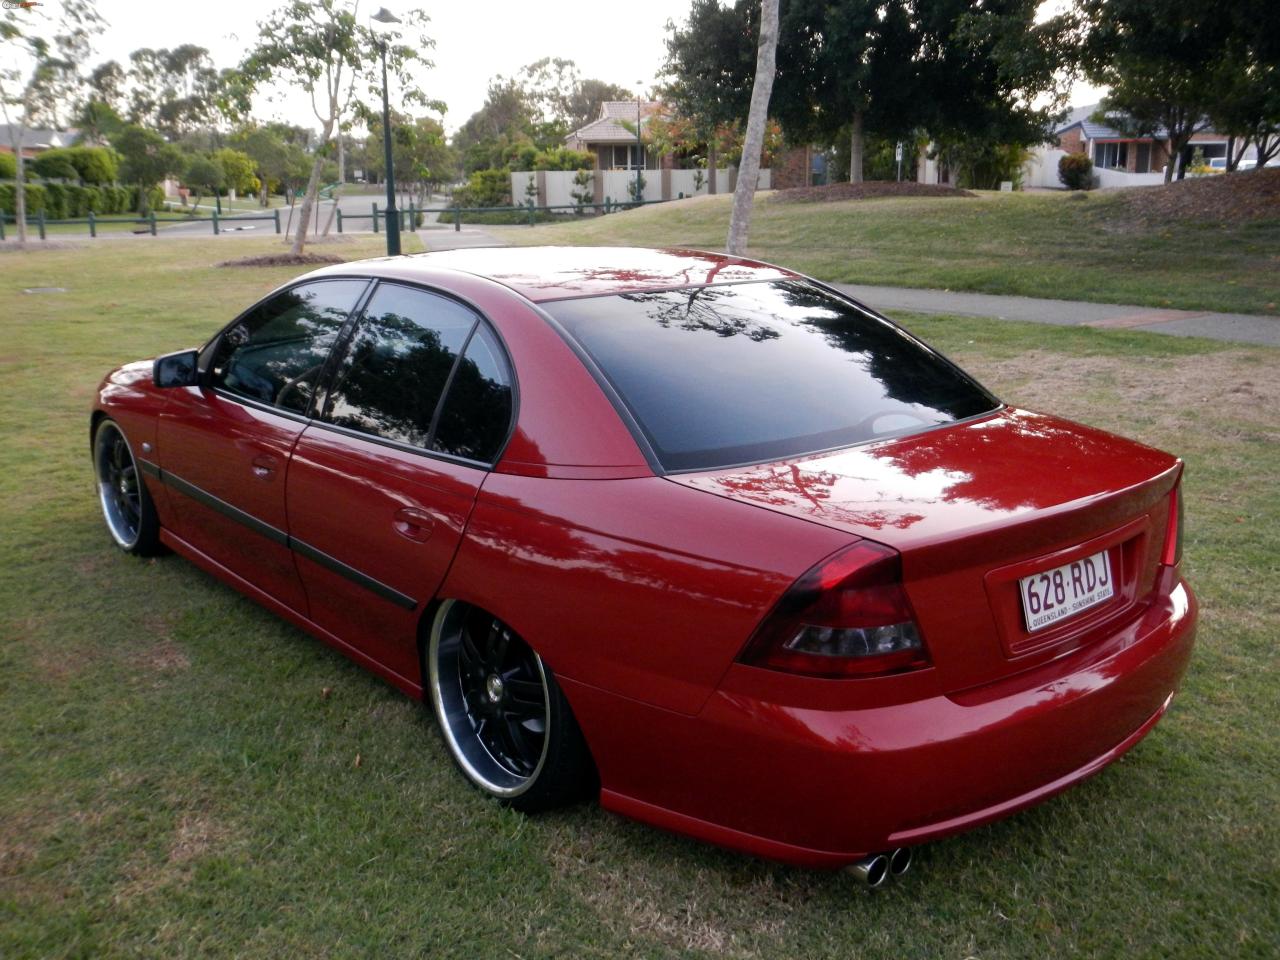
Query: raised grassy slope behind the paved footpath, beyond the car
[(1035, 245)]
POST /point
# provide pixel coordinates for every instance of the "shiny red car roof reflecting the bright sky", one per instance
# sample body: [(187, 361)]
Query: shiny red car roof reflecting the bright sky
[(543, 275)]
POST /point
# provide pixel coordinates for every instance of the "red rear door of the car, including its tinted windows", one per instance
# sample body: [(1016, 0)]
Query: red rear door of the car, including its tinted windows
[(383, 482)]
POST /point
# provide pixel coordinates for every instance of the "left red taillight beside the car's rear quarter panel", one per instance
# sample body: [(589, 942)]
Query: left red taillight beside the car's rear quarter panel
[(847, 618)]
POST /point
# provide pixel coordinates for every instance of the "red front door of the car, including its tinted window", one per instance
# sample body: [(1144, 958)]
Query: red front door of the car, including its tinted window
[(225, 446)]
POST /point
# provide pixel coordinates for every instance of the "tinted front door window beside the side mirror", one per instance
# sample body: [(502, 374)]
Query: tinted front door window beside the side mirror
[(276, 353)]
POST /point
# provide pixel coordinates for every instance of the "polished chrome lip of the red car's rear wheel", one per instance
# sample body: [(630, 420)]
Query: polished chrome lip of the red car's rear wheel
[(481, 767)]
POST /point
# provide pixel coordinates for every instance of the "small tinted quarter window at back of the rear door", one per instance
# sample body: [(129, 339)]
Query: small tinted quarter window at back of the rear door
[(477, 413)]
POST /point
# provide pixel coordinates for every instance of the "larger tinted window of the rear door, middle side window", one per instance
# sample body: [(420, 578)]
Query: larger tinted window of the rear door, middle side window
[(399, 363)]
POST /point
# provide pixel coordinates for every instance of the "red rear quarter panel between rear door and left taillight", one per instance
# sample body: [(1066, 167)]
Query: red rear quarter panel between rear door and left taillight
[(642, 588)]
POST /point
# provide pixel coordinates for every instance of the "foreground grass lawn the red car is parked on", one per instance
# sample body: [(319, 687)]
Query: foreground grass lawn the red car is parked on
[(184, 775)]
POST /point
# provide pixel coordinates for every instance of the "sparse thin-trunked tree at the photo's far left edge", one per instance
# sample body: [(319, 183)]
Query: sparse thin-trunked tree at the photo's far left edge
[(39, 76)]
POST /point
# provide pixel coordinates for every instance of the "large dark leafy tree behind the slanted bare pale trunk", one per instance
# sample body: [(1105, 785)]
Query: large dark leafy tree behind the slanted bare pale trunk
[(892, 67)]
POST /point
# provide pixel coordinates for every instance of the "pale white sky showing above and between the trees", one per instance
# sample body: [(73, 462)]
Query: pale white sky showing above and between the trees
[(474, 42)]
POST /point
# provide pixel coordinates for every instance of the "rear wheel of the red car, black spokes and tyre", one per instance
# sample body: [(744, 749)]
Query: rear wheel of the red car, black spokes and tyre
[(505, 720)]
